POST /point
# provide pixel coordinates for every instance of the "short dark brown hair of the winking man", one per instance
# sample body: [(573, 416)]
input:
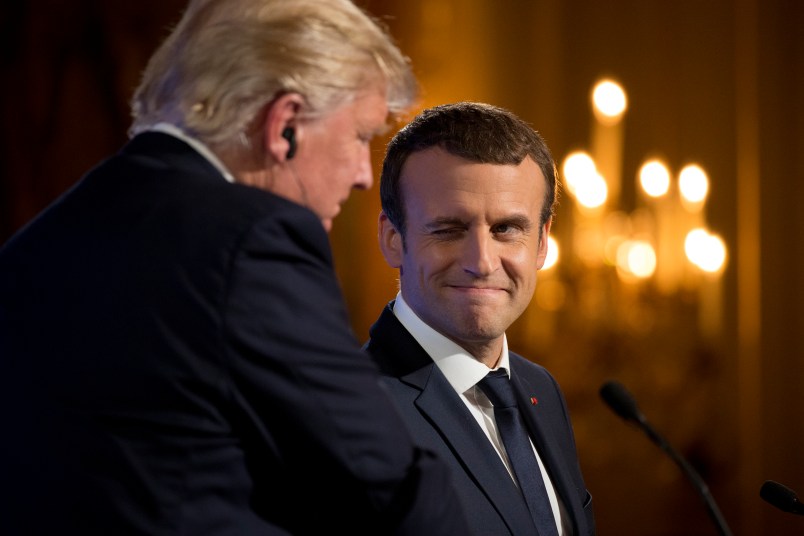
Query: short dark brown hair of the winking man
[(474, 131)]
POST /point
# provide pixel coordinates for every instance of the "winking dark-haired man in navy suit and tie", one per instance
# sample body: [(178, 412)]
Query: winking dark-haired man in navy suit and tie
[(467, 200)]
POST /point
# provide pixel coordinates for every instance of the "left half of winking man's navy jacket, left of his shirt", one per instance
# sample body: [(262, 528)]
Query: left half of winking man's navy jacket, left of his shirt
[(439, 421)]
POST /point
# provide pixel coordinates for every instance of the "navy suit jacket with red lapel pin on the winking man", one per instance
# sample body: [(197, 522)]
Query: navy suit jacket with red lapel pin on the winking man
[(439, 420)]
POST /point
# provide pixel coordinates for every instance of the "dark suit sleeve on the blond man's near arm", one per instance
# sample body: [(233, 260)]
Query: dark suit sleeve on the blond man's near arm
[(309, 404)]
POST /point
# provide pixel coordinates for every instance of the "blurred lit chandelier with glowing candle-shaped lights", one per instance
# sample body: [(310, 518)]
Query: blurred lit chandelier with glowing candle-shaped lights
[(662, 244)]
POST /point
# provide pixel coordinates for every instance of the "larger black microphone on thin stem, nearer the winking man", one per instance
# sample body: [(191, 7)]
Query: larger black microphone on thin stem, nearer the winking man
[(623, 404)]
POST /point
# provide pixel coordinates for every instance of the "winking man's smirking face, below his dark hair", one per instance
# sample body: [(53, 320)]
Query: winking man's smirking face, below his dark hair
[(472, 245)]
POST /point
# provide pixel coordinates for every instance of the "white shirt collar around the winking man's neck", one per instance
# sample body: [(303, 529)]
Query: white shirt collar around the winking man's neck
[(461, 369)]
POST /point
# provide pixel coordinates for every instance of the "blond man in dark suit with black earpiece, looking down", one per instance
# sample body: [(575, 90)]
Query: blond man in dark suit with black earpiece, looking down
[(175, 356)]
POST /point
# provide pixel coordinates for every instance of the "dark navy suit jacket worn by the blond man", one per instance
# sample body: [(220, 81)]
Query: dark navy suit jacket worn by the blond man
[(175, 358)]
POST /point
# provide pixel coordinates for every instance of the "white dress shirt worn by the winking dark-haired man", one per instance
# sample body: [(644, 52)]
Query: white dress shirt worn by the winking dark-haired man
[(463, 372)]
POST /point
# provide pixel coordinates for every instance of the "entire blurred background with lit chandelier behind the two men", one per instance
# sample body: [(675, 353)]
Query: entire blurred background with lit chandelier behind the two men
[(680, 235)]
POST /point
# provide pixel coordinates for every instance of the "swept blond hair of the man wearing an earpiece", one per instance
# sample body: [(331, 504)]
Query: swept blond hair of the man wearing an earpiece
[(227, 59)]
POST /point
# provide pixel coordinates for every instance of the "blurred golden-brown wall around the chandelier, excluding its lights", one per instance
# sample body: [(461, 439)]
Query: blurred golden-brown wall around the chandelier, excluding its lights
[(720, 83)]
